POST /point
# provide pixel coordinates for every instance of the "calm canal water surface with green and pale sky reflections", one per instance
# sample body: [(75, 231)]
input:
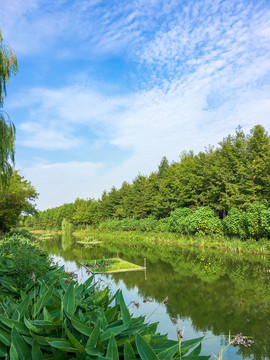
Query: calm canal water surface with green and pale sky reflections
[(210, 293)]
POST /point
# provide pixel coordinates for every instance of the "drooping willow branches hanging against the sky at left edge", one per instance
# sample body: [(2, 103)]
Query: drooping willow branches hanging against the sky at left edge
[(8, 66)]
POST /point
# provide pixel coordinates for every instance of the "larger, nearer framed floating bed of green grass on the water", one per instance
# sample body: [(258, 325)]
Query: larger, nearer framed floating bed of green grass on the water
[(112, 265)]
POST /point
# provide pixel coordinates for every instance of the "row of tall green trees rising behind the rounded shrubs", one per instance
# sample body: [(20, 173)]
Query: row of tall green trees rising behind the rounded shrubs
[(234, 175)]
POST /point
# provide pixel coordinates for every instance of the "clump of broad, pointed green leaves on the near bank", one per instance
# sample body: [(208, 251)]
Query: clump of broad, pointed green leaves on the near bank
[(54, 320)]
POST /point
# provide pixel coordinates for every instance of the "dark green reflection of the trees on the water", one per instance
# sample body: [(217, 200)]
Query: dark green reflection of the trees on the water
[(217, 291)]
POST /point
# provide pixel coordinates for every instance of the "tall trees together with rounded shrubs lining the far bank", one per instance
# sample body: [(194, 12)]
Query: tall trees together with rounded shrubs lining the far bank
[(221, 189)]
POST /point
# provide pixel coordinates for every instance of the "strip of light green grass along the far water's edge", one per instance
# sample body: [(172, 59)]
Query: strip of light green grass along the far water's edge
[(214, 241)]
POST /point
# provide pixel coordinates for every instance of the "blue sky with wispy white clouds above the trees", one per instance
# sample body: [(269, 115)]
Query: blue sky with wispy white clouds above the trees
[(105, 89)]
